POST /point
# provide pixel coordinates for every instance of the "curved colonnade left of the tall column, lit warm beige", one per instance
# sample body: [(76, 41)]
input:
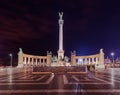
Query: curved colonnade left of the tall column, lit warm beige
[(33, 60)]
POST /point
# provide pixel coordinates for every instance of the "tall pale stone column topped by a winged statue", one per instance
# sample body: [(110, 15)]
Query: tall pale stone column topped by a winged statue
[(61, 51)]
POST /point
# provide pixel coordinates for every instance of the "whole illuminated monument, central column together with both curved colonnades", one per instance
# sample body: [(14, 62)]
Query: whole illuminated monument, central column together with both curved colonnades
[(96, 60)]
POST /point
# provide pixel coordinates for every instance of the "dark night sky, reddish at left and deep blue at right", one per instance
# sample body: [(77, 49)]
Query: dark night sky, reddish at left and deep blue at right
[(32, 25)]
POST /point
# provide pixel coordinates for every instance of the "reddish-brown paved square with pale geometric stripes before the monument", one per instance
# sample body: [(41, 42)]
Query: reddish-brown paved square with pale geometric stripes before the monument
[(18, 81)]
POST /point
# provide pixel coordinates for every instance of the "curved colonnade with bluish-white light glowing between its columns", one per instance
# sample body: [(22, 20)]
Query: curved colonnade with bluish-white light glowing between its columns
[(97, 59)]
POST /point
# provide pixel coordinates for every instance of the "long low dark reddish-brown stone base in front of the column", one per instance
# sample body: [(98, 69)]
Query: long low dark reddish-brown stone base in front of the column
[(60, 69)]
